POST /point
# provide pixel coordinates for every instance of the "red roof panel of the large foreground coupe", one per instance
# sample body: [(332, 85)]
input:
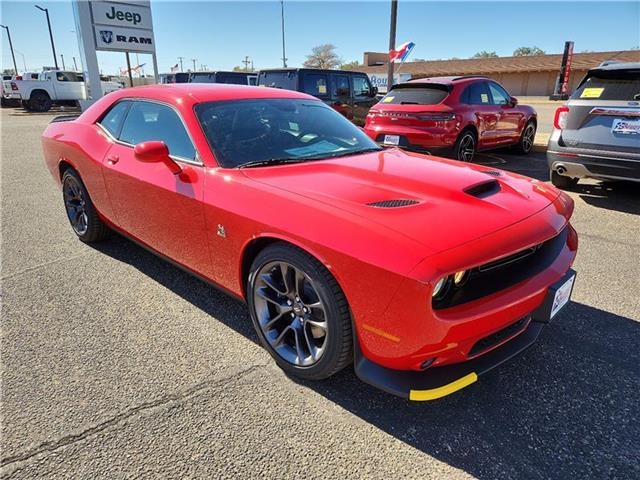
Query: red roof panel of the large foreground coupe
[(206, 92)]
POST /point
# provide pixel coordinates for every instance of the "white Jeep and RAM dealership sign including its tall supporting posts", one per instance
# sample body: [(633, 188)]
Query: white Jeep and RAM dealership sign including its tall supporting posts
[(113, 26)]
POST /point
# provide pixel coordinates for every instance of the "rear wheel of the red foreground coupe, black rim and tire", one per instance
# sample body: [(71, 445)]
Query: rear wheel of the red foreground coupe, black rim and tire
[(81, 213)]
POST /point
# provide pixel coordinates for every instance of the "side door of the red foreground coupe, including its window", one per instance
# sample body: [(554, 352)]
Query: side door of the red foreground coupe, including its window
[(155, 206)]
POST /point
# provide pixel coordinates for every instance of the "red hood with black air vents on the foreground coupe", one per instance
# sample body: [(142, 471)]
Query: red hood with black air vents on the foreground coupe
[(449, 203)]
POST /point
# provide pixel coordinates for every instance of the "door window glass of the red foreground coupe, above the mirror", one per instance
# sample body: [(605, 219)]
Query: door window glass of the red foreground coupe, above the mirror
[(148, 121)]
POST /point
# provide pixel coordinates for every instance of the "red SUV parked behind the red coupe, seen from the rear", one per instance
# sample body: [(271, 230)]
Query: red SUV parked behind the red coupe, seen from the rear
[(457, 115)]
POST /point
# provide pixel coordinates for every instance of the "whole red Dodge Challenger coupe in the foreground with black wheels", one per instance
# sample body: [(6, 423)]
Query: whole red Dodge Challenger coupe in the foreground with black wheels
[(423, 272)]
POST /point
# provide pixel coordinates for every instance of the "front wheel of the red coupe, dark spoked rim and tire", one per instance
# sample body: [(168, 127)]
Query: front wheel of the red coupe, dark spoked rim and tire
[(299, 312)]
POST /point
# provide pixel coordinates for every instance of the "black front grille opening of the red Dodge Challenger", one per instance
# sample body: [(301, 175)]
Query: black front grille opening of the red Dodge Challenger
[(504, 272)]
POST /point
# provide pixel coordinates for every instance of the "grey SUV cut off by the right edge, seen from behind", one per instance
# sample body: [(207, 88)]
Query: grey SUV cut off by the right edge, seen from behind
[(597, 133)]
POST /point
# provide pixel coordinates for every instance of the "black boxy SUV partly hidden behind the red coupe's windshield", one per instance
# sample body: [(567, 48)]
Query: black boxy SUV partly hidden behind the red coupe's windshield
[(350, 93)]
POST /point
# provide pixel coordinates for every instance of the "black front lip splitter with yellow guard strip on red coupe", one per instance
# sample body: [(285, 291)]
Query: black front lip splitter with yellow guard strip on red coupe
[(438, 382)]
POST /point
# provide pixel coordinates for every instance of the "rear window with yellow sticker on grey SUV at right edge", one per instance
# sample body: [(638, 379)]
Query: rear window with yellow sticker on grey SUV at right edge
[(610, 85)]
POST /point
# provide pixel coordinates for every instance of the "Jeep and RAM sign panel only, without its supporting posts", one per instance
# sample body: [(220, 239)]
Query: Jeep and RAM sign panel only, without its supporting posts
[(123, 27)]
